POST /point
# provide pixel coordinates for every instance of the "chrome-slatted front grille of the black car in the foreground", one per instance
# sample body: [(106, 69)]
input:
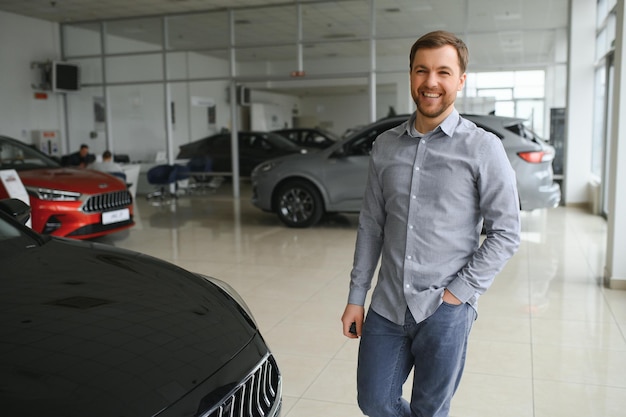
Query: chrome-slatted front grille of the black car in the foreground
[(255, 396)]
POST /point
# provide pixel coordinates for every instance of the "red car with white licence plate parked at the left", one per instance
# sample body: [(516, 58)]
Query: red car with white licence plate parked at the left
[(67, 202)]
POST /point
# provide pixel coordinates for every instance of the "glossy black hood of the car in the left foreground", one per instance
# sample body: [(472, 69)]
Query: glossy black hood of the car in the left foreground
[(90, 330)]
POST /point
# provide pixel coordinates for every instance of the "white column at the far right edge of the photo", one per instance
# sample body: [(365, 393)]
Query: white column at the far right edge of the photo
[(615, 268)]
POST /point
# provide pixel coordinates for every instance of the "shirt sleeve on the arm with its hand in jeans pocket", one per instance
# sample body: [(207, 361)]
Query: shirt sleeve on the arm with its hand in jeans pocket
[(499, 207)]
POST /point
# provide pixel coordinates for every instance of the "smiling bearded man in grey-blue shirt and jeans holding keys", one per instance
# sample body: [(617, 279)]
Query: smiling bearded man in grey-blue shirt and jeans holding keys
[(431, 182)]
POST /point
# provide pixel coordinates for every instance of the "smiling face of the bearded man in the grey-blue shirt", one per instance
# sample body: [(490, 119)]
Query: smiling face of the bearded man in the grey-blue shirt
[(435, 80)]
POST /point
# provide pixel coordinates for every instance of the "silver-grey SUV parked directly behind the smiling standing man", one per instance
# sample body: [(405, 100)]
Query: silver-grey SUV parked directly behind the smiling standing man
[(301, 188)]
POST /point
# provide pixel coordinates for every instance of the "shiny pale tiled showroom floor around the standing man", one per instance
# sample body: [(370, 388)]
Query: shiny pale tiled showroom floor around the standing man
[(550, 340)]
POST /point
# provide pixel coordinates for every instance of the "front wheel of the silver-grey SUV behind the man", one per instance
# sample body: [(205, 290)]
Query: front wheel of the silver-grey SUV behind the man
[(299, 204)]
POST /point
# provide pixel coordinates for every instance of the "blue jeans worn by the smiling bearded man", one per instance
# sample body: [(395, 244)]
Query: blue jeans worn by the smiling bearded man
[(435, 350)]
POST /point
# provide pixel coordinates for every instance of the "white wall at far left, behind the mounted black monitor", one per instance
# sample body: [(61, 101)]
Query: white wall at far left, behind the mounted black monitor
[(23, 41)]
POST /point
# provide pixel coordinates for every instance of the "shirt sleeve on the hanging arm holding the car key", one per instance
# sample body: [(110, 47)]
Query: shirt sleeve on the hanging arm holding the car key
[(369, 238)]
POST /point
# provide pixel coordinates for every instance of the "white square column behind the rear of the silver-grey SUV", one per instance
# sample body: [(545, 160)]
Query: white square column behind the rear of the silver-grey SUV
[(579, 122)]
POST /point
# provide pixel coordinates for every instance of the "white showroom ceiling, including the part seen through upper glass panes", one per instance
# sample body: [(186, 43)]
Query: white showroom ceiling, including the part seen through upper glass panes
[(501, 34)]
